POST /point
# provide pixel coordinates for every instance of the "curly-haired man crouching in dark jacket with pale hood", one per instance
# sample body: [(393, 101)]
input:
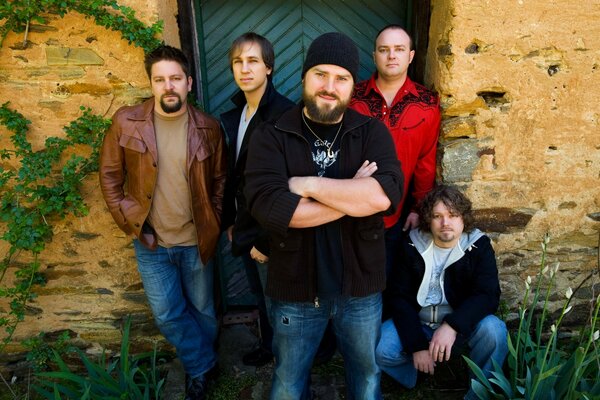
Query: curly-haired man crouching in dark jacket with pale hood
[(444, 293)]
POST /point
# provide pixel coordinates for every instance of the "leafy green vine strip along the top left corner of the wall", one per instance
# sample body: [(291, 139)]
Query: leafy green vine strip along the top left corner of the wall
[(19, 14)]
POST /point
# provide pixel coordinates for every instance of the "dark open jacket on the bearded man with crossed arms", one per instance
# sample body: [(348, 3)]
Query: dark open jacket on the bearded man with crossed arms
[(279, 151)]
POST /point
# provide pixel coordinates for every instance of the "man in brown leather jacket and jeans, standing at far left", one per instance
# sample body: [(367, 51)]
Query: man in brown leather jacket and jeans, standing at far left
[(162, 174)]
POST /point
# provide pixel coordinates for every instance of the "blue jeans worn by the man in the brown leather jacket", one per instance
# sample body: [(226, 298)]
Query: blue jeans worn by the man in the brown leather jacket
[(180, 292)]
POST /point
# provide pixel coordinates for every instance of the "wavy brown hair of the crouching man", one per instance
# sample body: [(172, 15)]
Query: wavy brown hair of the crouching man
[(453, 199)]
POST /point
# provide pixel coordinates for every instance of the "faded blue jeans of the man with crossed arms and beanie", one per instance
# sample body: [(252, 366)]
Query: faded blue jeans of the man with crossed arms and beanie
[(298, 329)]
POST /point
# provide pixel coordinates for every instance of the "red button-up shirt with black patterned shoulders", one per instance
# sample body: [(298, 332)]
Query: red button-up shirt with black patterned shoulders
[(413, 120)]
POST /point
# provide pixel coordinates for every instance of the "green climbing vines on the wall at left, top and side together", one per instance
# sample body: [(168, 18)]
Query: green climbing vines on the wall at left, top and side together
[(38, 187)]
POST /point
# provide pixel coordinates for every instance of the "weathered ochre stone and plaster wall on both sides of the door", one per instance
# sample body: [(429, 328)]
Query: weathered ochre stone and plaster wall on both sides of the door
[(519, 85)]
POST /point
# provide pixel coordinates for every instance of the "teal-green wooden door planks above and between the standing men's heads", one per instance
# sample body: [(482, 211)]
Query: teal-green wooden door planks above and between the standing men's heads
[(291, 26)]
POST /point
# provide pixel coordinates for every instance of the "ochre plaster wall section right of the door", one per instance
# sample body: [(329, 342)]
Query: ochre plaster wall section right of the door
[(519, 82)]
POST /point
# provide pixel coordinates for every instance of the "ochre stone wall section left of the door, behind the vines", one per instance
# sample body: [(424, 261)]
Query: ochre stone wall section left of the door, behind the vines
[(92, 280)]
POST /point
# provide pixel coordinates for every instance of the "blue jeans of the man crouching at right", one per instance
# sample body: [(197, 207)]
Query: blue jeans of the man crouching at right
[(487, 342)]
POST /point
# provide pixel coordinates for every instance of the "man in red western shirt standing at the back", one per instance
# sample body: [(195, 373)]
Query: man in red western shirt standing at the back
[(411, 113)]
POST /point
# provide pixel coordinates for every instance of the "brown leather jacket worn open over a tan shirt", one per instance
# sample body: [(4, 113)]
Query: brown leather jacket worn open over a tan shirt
[(128, 172)]
